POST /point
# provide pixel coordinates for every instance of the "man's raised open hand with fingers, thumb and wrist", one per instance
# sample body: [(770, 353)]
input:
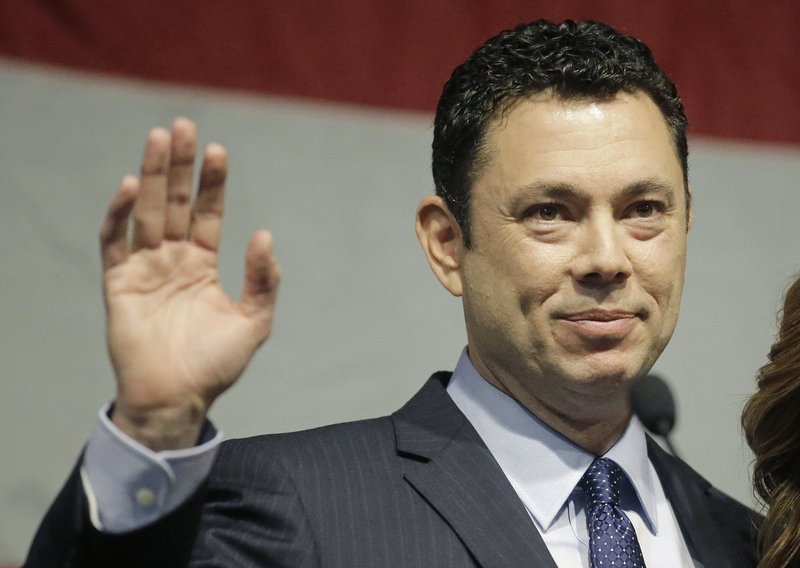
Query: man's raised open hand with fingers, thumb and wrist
[(175, 339)]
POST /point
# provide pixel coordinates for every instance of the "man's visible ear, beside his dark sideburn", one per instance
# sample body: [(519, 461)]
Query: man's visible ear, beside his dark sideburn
[(440, 237)]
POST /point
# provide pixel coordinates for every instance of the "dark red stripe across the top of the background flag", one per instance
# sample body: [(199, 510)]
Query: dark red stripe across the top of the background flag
[(736, 65)]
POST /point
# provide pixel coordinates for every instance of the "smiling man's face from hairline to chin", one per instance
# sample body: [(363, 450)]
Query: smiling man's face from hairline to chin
[(579, 230)]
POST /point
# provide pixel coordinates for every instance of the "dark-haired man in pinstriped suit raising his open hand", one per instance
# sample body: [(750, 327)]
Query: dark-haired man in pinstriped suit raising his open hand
[(561, 220)]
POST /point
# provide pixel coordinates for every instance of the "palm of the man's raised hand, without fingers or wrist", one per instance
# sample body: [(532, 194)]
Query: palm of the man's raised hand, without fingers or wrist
[(173, 333)]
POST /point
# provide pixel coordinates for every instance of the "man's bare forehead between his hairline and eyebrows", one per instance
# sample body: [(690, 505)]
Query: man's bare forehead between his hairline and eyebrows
[(586, 143)]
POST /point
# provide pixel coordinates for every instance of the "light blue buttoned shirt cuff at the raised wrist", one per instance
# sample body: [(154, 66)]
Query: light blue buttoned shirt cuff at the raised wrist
[(129, 485)]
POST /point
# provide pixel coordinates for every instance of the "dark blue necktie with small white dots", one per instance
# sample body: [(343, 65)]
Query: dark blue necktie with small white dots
[(612, 538)]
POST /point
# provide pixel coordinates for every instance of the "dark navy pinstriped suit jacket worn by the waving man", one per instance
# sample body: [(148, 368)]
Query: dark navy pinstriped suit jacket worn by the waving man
[(416, 489)]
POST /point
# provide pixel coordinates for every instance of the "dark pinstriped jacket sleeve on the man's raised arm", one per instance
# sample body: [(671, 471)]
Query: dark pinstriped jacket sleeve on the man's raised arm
[(236, 519)]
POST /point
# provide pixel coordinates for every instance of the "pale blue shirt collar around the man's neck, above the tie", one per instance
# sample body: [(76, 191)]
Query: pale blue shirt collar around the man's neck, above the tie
[(517, 439)]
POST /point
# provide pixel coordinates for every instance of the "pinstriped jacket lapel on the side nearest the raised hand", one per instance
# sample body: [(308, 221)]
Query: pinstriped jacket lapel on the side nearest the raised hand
[(454, 472)]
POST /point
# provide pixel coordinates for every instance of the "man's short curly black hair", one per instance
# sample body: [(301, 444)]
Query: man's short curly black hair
[(573, 61)]
